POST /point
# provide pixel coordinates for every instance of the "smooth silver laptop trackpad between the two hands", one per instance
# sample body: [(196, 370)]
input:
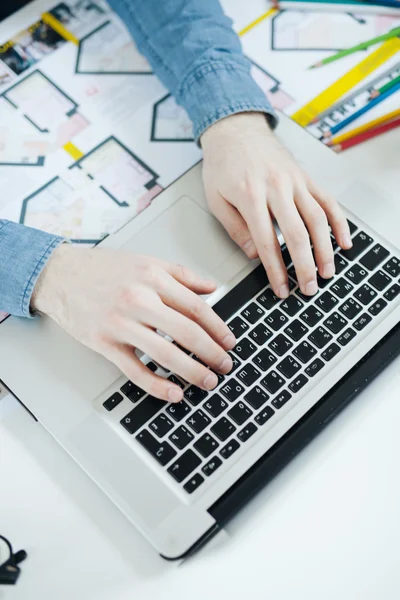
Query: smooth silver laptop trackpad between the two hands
[(186, 234)]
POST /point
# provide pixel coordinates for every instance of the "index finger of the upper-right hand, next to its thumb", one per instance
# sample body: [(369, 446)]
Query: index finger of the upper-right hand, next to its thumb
[(262, 231)]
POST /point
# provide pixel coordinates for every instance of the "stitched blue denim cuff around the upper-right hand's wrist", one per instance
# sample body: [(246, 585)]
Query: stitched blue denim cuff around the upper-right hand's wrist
[(219, 89)]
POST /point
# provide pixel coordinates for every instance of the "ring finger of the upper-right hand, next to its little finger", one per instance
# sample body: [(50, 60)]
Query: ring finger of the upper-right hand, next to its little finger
[(316, 222)]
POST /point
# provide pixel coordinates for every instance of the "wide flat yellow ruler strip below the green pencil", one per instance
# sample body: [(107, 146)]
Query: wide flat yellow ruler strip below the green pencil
[(339, 88)]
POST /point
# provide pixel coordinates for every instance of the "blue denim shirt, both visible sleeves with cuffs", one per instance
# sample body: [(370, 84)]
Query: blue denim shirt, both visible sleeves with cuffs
[(194, 51)]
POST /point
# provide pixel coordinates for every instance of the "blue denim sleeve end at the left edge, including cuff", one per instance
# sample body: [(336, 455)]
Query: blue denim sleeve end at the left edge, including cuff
[(23, 254)]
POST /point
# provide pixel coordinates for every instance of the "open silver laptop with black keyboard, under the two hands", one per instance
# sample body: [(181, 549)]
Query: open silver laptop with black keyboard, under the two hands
[(180, 472)]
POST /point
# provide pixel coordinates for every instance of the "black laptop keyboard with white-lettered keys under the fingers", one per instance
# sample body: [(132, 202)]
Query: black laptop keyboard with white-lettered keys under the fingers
[(281, 346)]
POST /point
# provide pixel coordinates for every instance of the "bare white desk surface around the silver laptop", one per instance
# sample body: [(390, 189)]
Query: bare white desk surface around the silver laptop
[(326, 528)]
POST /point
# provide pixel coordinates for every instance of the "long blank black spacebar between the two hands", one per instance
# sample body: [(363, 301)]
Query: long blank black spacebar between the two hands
[(241, 293)]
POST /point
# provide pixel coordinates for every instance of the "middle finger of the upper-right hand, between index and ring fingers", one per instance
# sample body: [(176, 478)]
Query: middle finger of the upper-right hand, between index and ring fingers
[(296, 237)]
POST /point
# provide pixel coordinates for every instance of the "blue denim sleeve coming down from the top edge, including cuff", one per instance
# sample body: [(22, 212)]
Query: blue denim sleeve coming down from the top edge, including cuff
[(195, 52)]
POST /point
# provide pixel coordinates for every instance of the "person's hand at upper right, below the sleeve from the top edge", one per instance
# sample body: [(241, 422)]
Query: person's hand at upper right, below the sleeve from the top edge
[(249, 178)]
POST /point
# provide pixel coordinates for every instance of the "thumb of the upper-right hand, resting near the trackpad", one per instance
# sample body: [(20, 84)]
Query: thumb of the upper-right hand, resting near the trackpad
[(234, 224)]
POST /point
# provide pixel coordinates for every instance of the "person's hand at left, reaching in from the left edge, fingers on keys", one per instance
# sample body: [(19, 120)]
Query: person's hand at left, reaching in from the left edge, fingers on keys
[(114, 301)]
